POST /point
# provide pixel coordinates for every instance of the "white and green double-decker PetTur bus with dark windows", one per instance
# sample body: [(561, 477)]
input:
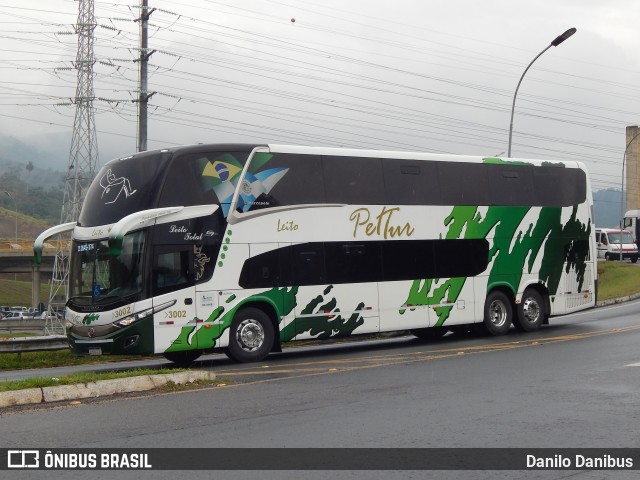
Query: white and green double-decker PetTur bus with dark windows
[(245, 247)]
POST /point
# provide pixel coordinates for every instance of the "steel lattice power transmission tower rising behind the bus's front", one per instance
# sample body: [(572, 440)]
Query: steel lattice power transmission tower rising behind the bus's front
[(83, 157)]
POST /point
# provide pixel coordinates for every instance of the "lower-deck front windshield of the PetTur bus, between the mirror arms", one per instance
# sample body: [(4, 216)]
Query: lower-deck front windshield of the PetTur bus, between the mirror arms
[(95, 275)]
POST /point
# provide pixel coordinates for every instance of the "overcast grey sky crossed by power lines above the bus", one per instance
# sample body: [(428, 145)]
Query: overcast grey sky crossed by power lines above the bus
[(427, 75)]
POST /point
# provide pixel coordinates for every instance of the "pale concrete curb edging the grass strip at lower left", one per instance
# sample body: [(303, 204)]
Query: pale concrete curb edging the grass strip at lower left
[(100, 388)]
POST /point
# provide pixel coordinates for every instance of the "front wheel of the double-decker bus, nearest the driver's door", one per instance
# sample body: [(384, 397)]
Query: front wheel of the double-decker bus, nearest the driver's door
[(251, 336)]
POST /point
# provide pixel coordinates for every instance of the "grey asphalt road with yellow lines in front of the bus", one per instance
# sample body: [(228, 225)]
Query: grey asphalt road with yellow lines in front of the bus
[(573, 384)]
